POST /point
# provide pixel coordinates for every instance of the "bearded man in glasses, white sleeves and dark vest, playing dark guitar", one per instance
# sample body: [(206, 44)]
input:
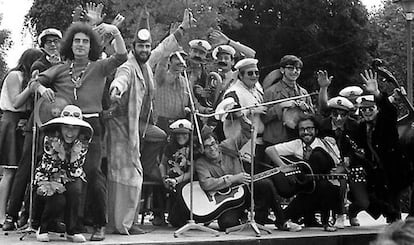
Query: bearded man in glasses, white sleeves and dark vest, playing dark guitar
[(322, 154)]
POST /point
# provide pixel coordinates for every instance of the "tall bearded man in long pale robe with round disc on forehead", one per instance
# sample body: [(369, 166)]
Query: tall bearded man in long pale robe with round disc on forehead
[(134, 83)]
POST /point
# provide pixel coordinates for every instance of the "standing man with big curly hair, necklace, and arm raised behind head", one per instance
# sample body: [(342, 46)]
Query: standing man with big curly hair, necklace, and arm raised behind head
[(81, 80)]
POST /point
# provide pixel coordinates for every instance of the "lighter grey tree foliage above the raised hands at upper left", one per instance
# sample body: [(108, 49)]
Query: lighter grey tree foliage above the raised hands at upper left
[(209, 13)]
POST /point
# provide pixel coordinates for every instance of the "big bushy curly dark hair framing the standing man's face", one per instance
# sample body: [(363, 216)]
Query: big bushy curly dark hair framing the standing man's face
[(80, 27)]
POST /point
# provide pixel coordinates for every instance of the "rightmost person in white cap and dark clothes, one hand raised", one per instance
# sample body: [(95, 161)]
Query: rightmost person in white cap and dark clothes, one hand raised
[(388, 169)]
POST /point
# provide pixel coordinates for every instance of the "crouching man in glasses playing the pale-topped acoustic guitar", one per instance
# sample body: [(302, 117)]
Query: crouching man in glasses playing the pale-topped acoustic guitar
[(219, 167)]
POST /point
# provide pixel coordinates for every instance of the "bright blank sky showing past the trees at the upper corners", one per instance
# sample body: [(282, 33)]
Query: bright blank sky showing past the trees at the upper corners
[(13, 12)]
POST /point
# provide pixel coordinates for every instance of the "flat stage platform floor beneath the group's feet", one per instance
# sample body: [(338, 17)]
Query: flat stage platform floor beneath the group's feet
[(165, 235)]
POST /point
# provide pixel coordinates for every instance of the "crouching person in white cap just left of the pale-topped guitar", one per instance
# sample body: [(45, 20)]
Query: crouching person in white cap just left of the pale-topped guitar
[(174, 168)]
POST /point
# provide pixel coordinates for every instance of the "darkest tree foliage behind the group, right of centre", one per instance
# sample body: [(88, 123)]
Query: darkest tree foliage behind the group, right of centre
[(331, 35)]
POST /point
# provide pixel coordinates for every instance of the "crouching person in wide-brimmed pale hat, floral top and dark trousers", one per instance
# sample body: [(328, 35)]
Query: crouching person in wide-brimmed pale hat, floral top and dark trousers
[(59, 175)]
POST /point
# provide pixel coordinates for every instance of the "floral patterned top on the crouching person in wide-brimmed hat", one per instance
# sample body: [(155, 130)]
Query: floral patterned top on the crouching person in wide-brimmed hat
[(60, 164)]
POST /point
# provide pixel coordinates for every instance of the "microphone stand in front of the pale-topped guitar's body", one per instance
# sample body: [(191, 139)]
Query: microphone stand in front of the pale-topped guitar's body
[(191, 224)]
